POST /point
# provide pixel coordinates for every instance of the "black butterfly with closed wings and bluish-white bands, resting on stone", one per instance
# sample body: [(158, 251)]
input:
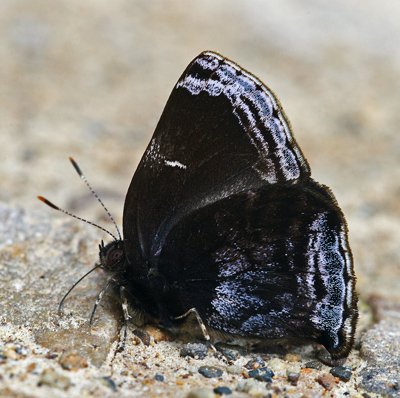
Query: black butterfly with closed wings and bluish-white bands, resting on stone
[(222, 219)]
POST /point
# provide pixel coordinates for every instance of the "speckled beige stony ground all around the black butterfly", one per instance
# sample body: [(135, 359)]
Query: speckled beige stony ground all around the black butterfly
[(89, 80)]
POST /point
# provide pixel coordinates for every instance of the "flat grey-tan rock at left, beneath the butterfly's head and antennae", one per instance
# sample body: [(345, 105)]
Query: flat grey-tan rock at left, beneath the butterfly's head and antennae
[(39, 262)]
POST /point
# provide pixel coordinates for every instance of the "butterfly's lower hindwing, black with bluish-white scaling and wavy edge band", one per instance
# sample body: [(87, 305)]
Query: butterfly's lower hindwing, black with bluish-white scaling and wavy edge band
[(272, 262)]
